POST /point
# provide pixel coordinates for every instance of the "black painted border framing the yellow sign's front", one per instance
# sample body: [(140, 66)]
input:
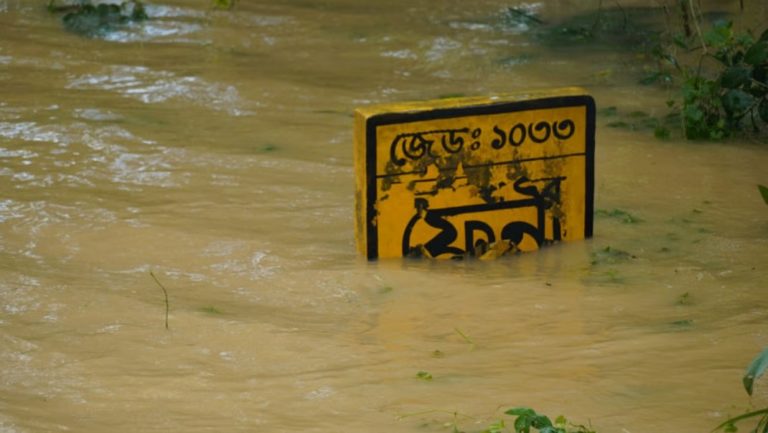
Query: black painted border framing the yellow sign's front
[(372, 247)]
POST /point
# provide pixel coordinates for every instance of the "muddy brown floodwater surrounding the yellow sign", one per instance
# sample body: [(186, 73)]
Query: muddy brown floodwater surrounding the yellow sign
[(214, 149)]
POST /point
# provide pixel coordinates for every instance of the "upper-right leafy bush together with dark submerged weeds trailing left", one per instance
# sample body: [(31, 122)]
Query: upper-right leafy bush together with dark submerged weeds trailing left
[(720, 77)]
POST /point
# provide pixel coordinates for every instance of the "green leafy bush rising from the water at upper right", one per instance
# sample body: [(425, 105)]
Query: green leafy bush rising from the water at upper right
[(725, 89)]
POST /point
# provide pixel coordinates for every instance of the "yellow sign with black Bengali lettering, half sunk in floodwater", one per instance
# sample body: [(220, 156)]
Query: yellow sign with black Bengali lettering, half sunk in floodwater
[(453, 178)]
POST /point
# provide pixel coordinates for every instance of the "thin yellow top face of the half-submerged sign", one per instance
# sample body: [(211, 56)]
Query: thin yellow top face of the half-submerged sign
[(417, 106)]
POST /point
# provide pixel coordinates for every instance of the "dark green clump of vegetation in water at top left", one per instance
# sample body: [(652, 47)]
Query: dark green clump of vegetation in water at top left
[(95, 20)]
